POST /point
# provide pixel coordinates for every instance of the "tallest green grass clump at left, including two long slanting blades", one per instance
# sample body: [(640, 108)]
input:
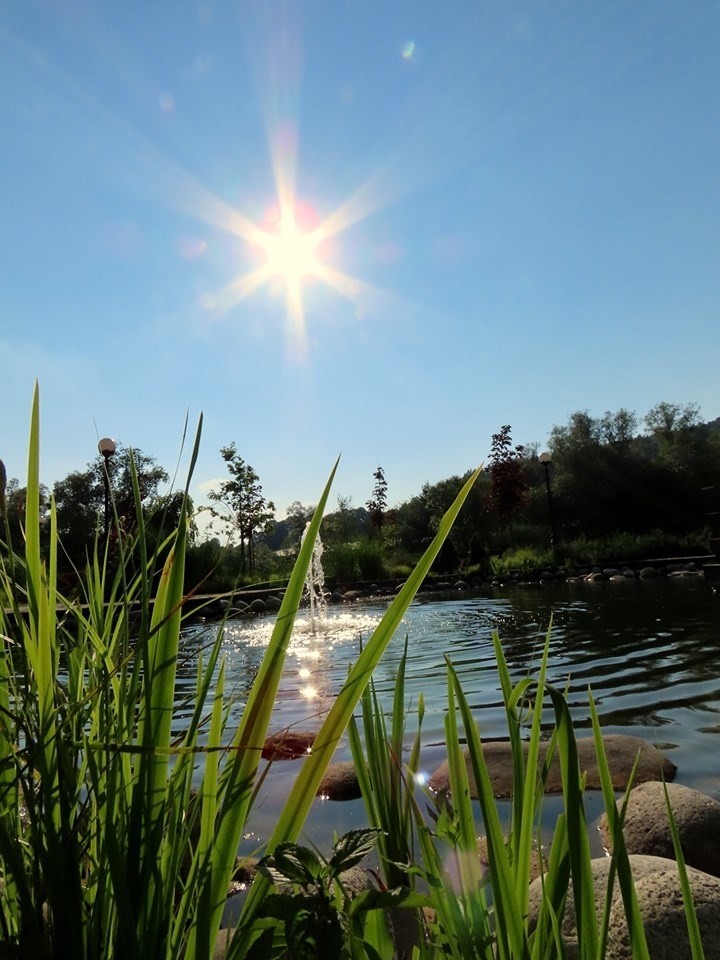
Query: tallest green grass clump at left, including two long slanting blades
[(118, 828)]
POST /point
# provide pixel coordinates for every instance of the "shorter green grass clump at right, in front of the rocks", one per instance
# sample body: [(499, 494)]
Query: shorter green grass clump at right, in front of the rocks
[(476, 910)]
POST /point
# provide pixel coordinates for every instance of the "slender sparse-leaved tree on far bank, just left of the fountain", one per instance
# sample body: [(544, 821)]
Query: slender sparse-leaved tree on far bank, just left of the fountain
[(244, 509)]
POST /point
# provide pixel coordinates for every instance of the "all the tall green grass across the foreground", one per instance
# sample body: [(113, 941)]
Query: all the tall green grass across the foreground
[(119, 825)]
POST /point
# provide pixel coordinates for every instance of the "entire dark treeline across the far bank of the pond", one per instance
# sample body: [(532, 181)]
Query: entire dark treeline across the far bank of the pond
[(606, 488)]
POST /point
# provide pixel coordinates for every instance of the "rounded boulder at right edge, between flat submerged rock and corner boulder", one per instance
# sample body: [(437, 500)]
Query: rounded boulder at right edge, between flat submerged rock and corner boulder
[(647, 828)]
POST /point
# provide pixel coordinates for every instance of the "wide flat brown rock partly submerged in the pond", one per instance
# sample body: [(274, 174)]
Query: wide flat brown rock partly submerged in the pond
[(621, 751)]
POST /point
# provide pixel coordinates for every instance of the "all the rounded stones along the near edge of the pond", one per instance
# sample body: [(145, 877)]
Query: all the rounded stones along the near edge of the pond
[(646, 831)]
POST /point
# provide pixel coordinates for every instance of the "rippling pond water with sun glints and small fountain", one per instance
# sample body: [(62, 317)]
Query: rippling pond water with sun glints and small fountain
[(650, 651)]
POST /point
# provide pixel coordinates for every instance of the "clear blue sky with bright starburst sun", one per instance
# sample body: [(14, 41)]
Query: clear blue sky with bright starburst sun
[(369, 228)]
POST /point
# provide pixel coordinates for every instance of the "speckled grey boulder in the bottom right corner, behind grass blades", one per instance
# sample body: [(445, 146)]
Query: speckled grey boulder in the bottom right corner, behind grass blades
[(657, 886)]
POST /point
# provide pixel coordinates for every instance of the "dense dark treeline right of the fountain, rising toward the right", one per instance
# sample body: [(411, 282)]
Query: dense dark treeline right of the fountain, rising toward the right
[(611, 487)]
